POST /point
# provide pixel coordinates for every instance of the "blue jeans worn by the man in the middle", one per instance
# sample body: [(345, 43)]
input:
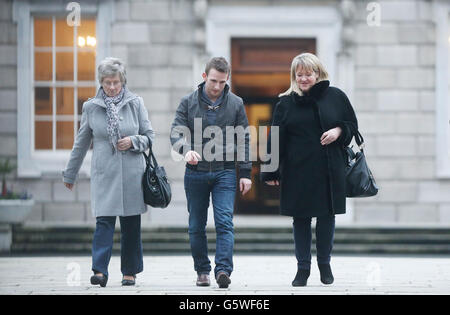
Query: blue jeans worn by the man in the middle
[(221, 186)]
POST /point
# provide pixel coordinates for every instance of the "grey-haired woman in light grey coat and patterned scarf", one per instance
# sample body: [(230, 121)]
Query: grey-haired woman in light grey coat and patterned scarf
[(117, 123)]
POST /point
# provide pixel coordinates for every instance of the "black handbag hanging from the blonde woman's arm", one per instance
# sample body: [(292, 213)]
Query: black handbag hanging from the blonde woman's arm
[(359, 179)]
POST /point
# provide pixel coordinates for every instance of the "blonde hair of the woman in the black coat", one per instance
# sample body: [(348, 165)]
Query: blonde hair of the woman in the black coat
[(308, 62)]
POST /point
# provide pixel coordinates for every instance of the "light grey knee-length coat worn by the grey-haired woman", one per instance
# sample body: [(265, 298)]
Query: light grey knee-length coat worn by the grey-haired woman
[(116, 178)]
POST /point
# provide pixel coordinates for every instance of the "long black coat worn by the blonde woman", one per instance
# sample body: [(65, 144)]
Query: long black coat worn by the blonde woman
[(312, 175)]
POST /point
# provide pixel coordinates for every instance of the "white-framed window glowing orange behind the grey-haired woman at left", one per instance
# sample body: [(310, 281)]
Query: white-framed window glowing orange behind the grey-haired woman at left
[(56, 73)]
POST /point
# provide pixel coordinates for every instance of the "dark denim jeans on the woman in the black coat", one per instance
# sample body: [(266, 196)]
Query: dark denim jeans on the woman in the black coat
[(324, 240)]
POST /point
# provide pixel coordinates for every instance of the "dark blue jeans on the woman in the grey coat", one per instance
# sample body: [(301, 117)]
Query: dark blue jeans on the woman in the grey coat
[(130, 242)]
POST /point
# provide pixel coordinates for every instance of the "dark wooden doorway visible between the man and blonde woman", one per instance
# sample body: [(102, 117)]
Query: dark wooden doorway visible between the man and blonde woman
[(261, 71)]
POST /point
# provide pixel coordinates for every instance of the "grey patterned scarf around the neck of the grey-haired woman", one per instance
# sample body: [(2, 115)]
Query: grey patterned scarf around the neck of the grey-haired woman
[(112, 117)]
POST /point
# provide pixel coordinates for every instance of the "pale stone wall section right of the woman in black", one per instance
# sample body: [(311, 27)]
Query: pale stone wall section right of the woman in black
[(395, 103)]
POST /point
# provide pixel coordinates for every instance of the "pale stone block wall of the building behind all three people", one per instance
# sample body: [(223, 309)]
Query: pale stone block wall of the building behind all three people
[(161, 42)]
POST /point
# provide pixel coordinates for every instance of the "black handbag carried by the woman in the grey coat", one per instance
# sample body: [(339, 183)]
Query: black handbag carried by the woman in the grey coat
[(156, 187)]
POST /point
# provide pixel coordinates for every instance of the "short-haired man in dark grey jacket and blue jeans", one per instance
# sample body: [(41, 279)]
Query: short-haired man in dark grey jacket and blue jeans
[(210, 131)]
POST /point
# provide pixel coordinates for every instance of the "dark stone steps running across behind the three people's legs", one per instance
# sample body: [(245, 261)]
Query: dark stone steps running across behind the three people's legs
[(247, 240)]
